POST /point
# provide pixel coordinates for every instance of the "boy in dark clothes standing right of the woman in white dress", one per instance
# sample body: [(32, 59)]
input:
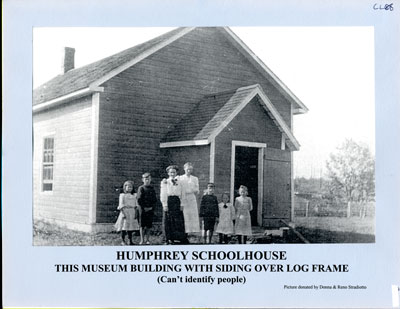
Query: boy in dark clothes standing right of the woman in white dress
[(209, 212)]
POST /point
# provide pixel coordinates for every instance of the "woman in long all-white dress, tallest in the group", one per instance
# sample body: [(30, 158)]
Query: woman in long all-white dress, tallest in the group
[(190, 185)]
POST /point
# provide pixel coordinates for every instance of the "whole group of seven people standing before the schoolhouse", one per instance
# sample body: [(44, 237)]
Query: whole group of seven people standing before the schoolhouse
[(181, 216)]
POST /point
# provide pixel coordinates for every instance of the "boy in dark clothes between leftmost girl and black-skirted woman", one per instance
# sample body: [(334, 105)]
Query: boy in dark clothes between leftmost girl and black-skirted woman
[(147, 200)]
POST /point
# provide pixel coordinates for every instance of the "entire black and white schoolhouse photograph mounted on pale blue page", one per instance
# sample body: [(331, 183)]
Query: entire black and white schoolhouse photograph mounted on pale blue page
[(203, 135)]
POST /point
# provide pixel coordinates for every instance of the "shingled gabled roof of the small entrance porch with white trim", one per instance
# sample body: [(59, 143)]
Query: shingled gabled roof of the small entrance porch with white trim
[(215, 111)]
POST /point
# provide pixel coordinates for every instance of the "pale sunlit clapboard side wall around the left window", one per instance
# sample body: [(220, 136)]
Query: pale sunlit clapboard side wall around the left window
[(70, 125)]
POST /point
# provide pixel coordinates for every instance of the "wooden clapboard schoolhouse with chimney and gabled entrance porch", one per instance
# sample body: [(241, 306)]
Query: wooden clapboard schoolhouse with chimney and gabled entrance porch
[(195, 95)]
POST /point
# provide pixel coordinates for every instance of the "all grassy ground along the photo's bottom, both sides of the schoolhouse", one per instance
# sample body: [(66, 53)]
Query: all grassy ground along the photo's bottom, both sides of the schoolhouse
[(314, 229)]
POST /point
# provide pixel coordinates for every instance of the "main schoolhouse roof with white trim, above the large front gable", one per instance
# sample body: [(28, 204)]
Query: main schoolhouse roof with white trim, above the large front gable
[(87, 79)]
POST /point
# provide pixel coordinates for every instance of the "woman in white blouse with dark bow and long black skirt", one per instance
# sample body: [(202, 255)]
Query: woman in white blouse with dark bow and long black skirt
[(171, 195)]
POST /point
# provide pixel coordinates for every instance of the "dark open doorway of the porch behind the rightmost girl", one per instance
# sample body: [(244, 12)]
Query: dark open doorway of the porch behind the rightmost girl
[(246, 173)]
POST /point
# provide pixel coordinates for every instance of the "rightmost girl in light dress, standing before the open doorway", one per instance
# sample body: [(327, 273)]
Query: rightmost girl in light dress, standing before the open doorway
[(243, 206)]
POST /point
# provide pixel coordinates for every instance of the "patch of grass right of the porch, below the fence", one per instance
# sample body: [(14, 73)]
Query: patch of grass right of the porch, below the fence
[(336, 230)]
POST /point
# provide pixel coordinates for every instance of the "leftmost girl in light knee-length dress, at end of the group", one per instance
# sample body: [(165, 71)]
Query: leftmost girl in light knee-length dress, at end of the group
[(128, 216)]
